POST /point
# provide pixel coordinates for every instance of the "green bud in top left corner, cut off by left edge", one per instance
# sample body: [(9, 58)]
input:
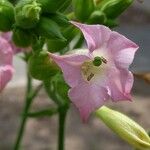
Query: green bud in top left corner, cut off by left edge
[(6, 15)]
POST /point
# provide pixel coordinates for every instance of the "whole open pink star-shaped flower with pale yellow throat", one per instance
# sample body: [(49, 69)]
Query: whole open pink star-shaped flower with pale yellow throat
[(99, 72)]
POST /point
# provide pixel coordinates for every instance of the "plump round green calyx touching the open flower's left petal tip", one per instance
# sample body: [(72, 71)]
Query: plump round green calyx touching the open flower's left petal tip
[(41, 67)]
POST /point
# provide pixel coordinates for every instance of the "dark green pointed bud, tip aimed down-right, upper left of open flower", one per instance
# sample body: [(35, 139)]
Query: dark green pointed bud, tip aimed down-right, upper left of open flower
[(49, 29)]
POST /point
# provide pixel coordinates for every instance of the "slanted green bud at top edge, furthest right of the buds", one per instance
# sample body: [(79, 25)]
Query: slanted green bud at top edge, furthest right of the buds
[(113, 8)]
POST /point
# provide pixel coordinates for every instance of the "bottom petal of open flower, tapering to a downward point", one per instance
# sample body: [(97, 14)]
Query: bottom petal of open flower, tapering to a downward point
[(88, 98)]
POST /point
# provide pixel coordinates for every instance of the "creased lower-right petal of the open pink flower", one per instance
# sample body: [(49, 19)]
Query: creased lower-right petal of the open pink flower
[(120, 83)]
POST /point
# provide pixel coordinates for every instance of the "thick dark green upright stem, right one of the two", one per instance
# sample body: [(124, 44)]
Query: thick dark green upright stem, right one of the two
[(61, 130)]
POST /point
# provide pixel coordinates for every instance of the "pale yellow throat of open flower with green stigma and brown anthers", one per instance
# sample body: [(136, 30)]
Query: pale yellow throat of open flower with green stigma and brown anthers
[(92, 69)]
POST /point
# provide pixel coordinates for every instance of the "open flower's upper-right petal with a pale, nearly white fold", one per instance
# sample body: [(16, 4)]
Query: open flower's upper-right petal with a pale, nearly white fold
[(122, 50)]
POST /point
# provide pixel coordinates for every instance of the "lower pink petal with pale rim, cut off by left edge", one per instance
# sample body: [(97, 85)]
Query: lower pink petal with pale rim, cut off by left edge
[(6, 73)]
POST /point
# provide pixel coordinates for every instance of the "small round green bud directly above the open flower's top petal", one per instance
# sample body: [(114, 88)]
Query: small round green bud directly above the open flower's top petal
[(97, 17)]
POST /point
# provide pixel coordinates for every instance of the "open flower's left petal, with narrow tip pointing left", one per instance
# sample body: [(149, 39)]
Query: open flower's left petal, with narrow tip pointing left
[(71, 67)]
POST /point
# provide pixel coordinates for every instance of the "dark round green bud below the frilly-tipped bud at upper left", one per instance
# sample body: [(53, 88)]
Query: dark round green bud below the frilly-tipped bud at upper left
[(22, 38)]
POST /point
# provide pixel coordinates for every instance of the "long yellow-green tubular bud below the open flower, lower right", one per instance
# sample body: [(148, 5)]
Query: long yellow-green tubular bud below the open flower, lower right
[(125, 127)]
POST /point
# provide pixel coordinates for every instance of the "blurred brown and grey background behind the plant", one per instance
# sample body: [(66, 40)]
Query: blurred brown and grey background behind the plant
[(41, 133)]
